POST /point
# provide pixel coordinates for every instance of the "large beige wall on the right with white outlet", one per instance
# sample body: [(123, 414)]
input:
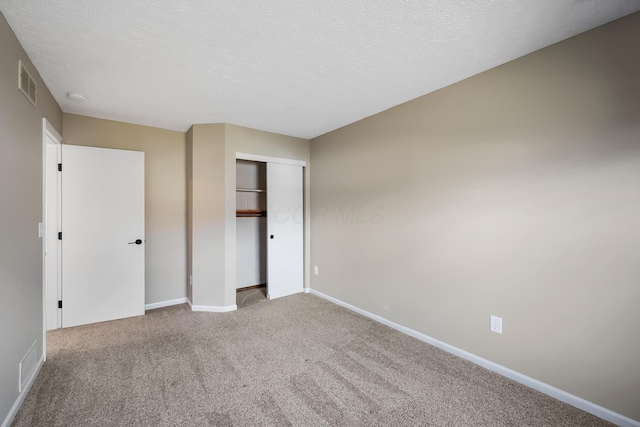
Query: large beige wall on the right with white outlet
[(514, 193)]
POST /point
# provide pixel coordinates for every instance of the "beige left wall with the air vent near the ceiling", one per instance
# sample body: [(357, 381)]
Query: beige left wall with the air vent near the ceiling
[(20, 213)]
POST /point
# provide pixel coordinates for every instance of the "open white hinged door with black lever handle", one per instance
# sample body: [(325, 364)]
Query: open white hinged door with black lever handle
[(102, 234)]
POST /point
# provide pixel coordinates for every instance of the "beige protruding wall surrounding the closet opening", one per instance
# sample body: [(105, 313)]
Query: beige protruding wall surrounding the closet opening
[(212, 176)]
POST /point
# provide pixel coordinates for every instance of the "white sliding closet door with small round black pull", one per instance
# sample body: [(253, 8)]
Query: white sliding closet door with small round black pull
[(285, 217)]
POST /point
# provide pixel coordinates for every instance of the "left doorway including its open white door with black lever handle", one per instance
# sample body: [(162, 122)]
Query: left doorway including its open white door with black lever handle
[(93, 236)]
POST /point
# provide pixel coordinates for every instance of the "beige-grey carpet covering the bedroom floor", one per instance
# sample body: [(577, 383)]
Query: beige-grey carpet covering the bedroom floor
[(294, 361)]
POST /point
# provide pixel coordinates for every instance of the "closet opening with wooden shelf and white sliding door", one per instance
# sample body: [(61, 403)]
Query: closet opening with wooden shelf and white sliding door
[(269, 228)]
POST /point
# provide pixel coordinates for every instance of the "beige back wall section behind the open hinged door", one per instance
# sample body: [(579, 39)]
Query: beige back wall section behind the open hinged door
[(165, 195)]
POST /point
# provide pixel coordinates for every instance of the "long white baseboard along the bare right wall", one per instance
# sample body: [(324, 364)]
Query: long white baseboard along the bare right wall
[(578, 402)]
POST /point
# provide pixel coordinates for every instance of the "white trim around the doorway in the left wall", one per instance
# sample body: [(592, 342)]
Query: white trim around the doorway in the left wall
[(48, 133)]
